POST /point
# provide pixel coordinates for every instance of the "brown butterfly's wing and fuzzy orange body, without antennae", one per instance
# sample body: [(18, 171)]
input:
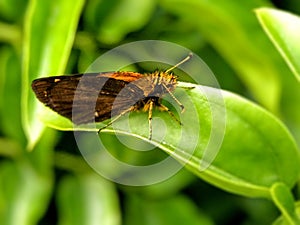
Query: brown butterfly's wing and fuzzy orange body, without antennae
[(85, 98)]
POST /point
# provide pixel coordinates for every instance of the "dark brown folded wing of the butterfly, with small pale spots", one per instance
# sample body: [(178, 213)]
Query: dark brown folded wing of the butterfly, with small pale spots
[(88, 98)]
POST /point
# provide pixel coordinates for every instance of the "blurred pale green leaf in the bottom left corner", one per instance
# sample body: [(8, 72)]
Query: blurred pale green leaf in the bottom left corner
[(24, 205)]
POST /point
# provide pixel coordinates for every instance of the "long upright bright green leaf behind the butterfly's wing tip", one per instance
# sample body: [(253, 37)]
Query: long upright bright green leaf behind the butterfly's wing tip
[(50, 28)]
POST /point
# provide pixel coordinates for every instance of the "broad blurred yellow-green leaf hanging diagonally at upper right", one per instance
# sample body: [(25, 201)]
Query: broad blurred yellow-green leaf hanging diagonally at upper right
[(234, 32)]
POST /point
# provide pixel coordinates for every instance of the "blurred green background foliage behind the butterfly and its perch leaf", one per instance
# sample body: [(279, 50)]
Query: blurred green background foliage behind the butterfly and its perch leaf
[(51, 184)]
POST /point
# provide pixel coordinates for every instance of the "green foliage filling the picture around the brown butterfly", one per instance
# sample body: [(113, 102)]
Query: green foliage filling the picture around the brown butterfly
[(258, 156)]
